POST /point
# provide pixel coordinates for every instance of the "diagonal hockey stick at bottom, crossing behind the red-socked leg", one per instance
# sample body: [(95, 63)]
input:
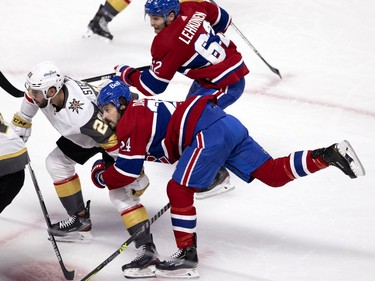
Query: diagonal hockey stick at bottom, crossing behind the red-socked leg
[(126, 243)]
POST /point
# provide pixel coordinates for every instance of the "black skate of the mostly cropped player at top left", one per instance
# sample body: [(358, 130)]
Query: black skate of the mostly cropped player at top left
[(99, 24)]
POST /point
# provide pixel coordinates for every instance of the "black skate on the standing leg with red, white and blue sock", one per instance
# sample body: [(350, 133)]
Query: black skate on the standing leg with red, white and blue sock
[(182, 264)]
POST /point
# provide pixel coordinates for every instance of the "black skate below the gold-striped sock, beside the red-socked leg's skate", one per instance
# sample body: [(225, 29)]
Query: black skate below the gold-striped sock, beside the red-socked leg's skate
[(143, 266)]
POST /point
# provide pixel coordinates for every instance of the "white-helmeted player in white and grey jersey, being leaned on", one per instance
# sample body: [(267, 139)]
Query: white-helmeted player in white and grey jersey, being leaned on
[(70, 107)]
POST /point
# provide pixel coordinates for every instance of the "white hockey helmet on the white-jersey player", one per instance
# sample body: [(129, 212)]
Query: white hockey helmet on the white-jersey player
[(44, 76)]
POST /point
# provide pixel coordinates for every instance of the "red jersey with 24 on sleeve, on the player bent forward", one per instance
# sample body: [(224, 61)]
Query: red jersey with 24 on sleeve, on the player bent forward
[(154, 130)]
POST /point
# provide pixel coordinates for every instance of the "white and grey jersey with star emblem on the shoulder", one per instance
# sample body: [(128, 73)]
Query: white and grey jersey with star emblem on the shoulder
[(79, 119)]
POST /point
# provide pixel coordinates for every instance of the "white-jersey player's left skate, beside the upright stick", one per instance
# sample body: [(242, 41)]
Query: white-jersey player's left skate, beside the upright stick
[(76, 228)]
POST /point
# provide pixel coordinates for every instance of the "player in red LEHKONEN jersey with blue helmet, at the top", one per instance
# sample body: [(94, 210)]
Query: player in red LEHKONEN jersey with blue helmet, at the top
[(190, 39)]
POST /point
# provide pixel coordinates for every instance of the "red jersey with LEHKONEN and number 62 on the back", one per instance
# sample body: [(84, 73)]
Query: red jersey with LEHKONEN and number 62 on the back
[(194, 45)]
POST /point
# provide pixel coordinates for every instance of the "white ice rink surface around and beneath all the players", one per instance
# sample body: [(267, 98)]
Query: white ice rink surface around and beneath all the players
[(318, 228)]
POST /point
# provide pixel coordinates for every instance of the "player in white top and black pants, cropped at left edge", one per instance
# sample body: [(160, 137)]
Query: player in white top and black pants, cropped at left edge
[(13, 158)]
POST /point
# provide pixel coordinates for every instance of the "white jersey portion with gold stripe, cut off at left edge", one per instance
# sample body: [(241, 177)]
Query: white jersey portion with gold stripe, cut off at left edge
[(13, 153)]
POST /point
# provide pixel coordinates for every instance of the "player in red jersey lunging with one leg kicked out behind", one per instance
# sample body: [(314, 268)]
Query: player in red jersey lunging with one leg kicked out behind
[(202, 138)]
